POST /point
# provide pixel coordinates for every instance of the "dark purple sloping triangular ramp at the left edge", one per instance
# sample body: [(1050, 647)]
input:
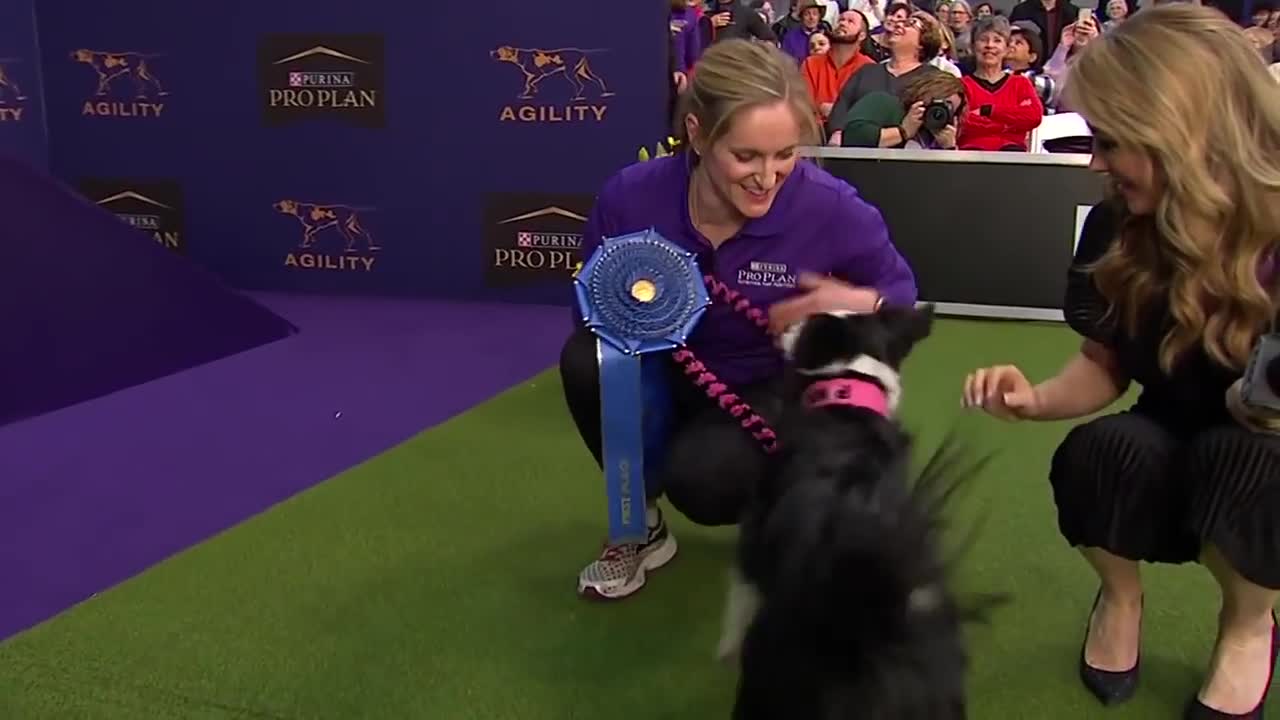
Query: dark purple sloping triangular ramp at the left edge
[(90, 306)]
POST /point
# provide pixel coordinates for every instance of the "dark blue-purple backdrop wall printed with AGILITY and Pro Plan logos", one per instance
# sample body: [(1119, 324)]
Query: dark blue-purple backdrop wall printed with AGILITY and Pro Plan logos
[(381, 148)]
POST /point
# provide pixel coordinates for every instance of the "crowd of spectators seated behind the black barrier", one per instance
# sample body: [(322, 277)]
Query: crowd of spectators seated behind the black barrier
[(939, 75)]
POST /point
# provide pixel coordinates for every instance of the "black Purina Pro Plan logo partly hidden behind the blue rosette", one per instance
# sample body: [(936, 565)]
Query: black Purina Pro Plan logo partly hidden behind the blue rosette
[(533, 239)]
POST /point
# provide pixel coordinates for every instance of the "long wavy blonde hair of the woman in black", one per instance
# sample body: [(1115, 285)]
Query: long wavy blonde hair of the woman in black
[(1182, 85)]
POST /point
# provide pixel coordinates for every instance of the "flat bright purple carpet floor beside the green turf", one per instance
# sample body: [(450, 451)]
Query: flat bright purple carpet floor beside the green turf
[(98, 493)]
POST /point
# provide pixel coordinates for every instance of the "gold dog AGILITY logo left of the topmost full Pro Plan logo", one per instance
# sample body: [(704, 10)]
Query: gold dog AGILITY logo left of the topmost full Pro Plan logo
[(125, 85)]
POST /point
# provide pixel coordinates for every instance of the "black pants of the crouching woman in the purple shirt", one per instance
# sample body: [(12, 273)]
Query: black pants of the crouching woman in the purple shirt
[(712, 463)]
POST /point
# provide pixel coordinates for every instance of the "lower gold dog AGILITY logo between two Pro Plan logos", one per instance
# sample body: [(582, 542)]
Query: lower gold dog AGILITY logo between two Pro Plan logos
[(331, 238)]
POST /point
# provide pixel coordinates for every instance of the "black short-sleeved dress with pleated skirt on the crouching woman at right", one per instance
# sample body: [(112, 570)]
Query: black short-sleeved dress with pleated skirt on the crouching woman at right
[(1176, 472)]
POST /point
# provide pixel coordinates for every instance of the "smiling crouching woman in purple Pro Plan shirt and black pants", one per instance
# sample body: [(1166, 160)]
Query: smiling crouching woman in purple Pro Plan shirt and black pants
[(785, 235)]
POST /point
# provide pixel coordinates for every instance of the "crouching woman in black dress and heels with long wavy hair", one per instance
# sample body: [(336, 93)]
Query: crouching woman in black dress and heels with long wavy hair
[(1173, 286)]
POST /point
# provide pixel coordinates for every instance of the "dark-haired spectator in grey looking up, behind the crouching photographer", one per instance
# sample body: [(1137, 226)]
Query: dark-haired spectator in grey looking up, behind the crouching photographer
[(913, 45)]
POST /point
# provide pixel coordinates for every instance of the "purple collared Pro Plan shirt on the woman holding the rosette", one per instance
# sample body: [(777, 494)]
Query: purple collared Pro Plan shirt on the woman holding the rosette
[(817, 225)]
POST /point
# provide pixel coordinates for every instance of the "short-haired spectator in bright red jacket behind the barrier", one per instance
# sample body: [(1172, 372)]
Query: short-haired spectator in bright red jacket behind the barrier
[(1003, 107)]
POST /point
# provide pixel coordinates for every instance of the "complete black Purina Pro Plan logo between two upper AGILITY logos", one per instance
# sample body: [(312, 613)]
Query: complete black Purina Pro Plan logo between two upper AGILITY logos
[(323, 76)]
